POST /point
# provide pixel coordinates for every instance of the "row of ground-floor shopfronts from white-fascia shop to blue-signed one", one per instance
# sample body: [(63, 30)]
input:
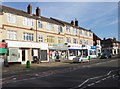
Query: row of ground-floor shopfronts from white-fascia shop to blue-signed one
[(21, 52)]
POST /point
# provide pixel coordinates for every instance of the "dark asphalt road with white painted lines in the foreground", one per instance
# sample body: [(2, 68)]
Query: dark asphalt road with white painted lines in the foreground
[(95, 74)]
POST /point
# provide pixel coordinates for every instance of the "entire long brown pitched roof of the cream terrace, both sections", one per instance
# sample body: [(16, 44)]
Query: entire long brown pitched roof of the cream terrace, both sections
[(42, 18)]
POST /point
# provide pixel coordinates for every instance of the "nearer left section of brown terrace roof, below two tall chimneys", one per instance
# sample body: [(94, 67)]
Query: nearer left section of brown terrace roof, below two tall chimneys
[(23, 13)]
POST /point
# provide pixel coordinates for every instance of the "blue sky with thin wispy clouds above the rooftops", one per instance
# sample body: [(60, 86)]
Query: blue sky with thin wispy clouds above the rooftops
[(100, 17)]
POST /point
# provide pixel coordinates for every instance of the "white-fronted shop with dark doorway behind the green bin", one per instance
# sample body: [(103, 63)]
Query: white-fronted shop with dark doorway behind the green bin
[(21, 52)]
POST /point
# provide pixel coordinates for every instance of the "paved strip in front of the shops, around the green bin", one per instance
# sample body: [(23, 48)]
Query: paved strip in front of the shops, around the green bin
[(22, 67)]
